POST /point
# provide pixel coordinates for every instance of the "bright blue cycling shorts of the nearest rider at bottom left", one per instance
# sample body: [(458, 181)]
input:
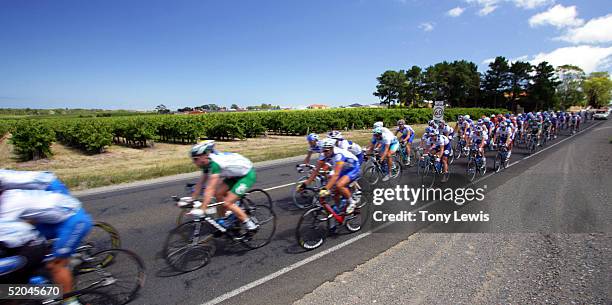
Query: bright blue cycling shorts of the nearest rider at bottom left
[(68, 233)]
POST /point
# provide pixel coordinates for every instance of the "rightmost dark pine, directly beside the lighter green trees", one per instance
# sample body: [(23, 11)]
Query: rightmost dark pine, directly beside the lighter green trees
[(542, 91)]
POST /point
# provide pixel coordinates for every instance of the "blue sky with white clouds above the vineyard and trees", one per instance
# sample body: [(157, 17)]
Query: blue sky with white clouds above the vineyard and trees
[(138, 54)]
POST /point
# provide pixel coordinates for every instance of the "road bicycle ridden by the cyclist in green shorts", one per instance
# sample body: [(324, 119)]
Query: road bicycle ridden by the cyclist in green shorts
[(190, 245)]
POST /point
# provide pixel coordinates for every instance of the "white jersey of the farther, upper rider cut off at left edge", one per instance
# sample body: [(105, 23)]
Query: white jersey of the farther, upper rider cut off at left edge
[(26, 180)]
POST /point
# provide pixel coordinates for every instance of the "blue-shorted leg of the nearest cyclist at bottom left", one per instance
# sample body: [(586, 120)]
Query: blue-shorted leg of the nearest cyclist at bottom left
[(69, 236)]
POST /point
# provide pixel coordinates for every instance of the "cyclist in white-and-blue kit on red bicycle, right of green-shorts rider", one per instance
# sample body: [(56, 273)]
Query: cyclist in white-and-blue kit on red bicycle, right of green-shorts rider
[(345, 170)]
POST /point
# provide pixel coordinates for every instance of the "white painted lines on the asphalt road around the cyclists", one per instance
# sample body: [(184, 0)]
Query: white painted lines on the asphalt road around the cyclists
[(309, 259)]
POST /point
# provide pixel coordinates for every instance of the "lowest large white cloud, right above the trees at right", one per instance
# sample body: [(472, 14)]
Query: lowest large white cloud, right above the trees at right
[(589, 58)]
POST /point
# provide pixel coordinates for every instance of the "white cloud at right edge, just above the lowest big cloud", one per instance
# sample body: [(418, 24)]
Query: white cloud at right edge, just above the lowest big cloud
[(597, 30)]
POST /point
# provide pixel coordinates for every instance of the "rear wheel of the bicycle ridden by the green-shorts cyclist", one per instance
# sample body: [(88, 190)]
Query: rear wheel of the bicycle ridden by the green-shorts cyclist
[(264, 216)]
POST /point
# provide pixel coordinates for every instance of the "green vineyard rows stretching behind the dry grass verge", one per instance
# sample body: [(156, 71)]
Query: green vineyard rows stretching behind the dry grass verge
[(32, 138)]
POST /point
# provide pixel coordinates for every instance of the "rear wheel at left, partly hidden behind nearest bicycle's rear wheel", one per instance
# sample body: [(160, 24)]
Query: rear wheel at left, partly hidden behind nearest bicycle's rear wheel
[(101, 237)]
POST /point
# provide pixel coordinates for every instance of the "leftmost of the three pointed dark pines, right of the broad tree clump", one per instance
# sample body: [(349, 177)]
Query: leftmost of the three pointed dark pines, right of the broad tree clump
[(496, 80)]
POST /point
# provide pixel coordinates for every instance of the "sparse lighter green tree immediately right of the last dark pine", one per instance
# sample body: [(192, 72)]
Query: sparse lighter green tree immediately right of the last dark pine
[(570, 90)]
